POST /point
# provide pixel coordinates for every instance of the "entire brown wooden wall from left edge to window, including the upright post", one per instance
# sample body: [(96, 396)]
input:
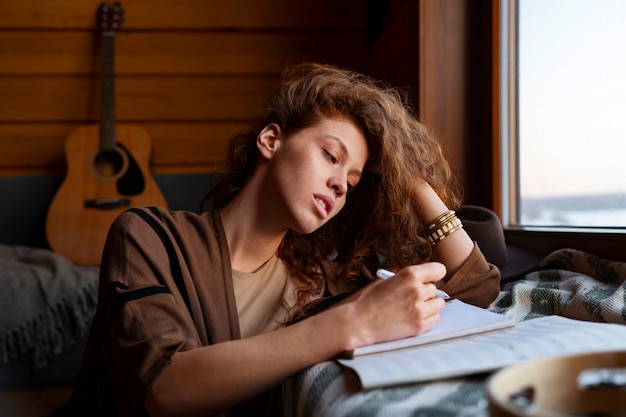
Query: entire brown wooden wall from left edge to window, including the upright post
[(192, 71)]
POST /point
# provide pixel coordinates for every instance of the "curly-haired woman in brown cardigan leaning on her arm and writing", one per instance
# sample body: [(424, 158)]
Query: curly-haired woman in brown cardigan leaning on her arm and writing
[(204, 314)]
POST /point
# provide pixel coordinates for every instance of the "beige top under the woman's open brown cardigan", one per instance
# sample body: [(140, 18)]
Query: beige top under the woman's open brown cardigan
[(263, 297)]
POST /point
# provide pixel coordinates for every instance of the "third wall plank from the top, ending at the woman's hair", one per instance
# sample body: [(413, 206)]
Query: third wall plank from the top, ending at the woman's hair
[(141, 98)]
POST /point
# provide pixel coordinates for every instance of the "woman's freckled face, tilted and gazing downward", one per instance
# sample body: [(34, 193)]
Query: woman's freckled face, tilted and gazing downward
[(312, 170)]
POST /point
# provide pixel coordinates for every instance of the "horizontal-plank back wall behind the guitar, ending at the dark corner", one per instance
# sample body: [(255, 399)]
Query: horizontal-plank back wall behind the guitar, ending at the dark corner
[(189, 71)]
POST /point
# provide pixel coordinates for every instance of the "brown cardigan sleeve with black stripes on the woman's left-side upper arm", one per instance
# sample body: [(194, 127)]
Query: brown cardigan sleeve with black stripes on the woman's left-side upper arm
[(144, 319)]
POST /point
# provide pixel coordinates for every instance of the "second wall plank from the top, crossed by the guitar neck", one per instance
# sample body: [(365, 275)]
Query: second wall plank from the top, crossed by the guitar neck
[(77, 53)]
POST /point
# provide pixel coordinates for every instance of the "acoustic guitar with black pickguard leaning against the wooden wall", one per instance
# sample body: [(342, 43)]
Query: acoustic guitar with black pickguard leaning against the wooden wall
[(107, 168)]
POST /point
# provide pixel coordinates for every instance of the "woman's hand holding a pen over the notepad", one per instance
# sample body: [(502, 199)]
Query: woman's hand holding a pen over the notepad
[(401, 306)]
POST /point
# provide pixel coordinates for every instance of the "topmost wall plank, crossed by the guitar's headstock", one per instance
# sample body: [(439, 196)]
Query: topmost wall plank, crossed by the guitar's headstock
[(189, 14)]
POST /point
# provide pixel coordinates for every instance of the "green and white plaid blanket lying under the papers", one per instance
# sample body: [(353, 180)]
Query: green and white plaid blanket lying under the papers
[(568, 282)]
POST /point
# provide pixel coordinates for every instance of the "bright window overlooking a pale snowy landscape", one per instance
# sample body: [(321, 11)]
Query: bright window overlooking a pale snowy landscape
[(563, 108)]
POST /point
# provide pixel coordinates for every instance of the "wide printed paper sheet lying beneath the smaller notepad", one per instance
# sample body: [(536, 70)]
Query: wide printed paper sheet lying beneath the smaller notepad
[(532, 339)]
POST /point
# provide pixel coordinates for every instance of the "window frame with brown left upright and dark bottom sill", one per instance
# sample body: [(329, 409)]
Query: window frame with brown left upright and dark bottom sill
[(605, 242)]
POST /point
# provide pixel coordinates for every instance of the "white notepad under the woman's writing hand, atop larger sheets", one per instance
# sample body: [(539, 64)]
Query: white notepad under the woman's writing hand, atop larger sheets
[(458, 319)]
